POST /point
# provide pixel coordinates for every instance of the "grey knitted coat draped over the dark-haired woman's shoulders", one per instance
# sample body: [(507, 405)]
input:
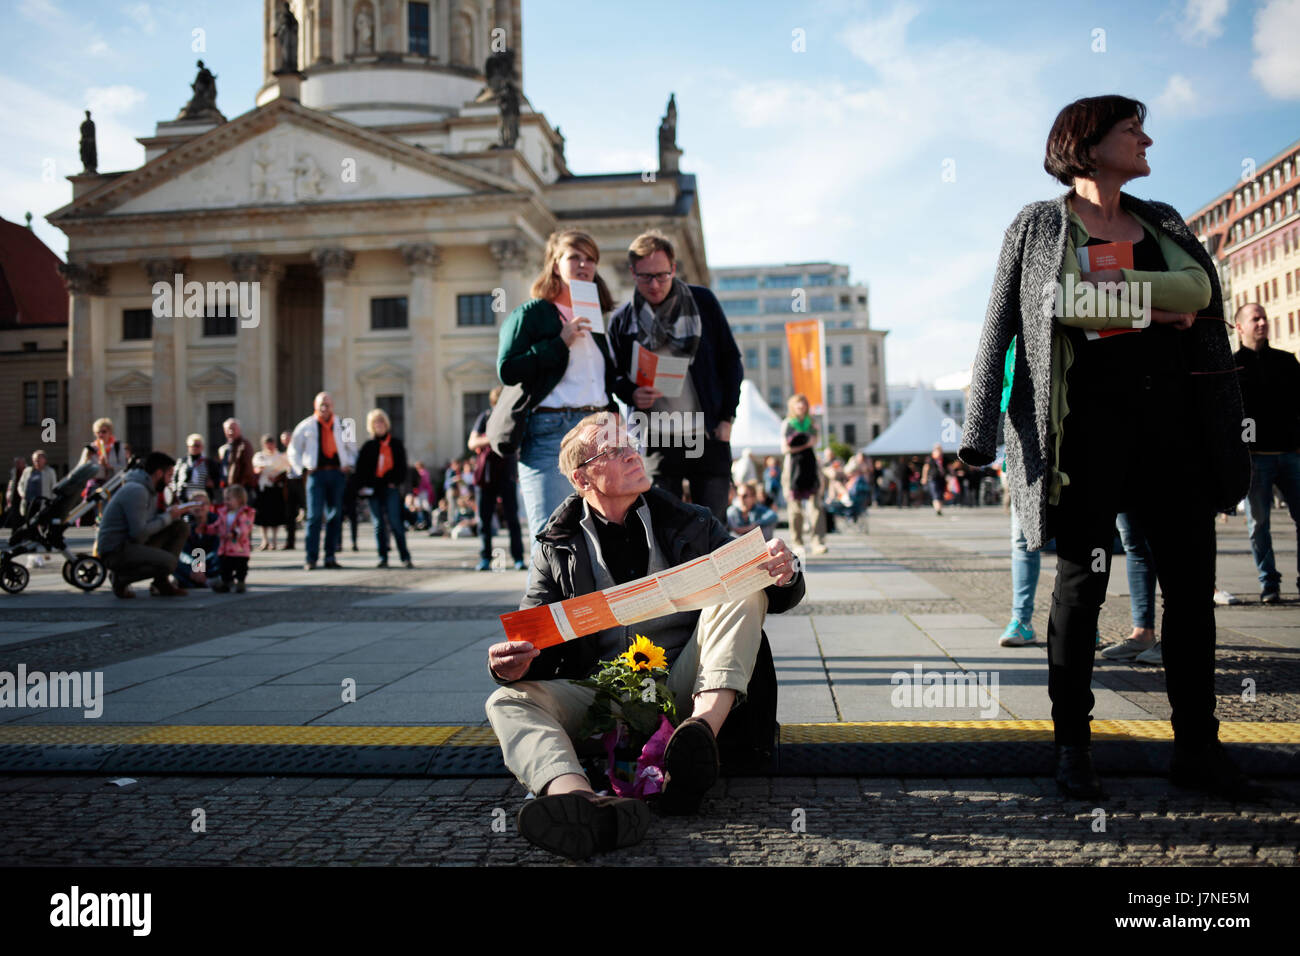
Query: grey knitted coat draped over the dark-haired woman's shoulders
[(1022, 304)]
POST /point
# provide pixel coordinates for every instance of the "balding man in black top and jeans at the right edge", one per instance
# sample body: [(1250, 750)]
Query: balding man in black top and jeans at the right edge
[(1271, 399)]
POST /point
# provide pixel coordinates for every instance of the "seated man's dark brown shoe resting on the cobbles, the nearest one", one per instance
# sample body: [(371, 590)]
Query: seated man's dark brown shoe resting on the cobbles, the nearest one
[(582, 825)]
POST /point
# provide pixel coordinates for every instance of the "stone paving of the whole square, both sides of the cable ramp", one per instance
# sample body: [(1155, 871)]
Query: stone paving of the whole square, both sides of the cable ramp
[(916, 591)]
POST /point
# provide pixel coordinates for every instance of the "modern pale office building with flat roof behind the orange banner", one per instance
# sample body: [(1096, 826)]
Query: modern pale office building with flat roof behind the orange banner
[(760, 300)]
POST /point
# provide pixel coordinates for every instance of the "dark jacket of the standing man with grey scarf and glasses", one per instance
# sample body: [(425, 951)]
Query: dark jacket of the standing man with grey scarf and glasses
[(717, 370)]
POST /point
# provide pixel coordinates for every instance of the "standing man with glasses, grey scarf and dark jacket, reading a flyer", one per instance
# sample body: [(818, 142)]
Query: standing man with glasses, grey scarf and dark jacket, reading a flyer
[(692, 438)]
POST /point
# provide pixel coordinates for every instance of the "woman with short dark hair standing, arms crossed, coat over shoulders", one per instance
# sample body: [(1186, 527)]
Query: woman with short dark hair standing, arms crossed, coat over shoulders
[(1112, 384)]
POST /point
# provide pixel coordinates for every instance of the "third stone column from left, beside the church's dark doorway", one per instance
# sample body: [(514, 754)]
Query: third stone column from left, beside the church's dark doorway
[(255, 344)]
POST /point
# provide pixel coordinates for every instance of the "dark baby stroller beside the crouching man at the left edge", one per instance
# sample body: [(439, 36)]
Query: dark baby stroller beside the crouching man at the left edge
[(42, 533)]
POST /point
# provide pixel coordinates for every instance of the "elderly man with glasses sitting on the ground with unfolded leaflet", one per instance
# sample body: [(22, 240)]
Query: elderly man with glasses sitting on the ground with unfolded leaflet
[(616, 529)]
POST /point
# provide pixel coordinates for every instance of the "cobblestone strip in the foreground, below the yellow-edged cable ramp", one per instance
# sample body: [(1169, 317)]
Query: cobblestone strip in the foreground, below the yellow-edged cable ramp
[(868, 821)]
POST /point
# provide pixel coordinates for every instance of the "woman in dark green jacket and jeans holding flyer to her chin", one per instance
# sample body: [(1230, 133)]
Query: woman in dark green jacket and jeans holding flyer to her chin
[(562, 364)]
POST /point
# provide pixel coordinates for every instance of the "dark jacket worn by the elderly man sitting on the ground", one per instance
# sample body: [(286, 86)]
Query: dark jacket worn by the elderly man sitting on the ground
[(562, 569)]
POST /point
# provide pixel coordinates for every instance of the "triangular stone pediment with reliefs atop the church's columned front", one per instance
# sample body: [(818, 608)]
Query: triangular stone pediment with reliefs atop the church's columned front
[(284, 154)]
